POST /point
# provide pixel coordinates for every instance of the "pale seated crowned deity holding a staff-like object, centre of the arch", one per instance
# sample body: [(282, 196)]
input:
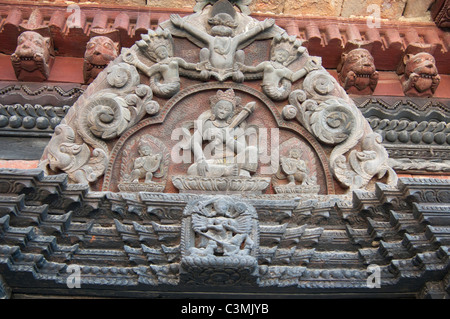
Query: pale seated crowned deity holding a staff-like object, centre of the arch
[(228, 136)]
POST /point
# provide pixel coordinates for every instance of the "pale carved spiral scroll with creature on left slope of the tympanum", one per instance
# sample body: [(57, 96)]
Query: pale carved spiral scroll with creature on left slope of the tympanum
[(104, 115)]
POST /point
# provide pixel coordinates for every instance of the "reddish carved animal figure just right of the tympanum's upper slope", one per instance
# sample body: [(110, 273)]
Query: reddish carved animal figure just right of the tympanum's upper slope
[(357, 73)]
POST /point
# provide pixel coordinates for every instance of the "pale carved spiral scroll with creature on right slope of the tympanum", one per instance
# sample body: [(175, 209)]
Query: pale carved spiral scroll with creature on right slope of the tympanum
[(324, 109)]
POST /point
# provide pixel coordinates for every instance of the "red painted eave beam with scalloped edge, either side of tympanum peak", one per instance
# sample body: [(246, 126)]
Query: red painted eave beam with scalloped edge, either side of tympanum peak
[(324, 37)]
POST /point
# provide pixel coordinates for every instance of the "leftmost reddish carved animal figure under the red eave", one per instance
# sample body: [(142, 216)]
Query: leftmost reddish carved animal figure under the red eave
[(31, 60)]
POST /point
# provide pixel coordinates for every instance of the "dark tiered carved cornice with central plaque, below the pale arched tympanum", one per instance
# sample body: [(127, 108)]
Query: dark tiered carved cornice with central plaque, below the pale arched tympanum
[(196, 242)]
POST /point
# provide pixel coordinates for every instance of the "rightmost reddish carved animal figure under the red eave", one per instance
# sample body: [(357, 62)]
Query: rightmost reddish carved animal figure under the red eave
[(421, 76)]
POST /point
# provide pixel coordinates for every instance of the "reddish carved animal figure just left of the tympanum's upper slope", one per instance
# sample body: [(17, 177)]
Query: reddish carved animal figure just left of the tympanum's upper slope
[(100, 51)]
